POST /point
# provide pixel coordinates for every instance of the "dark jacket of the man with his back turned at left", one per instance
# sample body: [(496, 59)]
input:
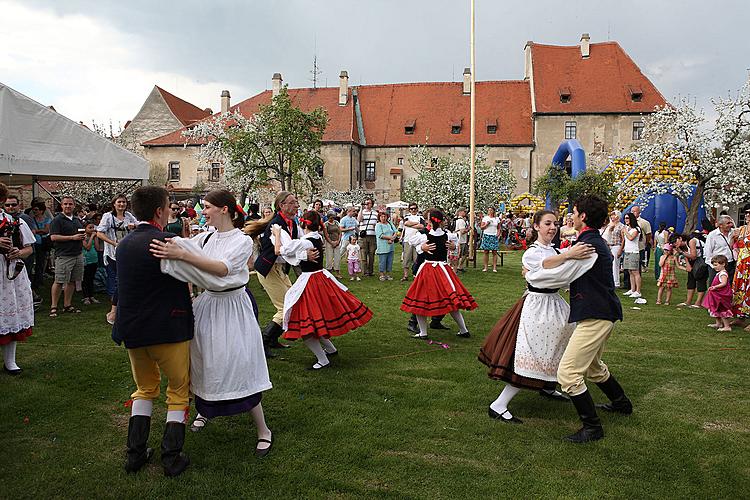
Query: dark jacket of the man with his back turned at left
[(152, 307)]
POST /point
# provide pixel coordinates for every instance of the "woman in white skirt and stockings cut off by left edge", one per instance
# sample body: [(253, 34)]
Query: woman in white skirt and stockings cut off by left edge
[(16, 301)]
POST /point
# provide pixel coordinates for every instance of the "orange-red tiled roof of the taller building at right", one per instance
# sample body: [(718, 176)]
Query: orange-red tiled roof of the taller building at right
[(601, 83)]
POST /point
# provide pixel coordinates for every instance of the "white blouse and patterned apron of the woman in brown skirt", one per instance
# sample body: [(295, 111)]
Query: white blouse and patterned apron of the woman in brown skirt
[(543, 331)]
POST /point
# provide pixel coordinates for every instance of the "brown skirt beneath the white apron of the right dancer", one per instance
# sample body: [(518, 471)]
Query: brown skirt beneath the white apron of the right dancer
[(499, 350)]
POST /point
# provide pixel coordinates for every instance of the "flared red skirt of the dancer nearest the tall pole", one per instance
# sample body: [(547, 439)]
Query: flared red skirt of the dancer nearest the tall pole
[(432, 292)]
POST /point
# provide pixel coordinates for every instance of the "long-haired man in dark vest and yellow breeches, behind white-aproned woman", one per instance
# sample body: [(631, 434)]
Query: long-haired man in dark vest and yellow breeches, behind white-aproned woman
[(273, 271)]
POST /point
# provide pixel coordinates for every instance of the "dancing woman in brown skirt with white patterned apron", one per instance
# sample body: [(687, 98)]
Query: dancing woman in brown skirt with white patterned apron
[(525, 346)]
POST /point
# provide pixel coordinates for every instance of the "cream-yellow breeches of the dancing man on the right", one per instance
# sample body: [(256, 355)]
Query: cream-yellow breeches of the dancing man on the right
[(582, 358)]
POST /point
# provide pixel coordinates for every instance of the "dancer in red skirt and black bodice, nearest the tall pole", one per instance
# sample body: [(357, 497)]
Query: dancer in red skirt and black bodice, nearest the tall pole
[(436, 289)]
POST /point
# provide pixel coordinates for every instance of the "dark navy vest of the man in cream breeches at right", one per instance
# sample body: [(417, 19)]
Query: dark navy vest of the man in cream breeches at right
[(592, 296)]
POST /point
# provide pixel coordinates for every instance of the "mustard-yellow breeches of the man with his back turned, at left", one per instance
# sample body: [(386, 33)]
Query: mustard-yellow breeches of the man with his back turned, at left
[(147, 364)]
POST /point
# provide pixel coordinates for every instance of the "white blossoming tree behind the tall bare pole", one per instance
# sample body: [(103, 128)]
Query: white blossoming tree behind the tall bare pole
[(444, 181)]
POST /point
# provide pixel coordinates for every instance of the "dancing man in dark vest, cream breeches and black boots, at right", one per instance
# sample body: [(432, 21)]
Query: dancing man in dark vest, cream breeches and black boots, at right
[(594, 307)]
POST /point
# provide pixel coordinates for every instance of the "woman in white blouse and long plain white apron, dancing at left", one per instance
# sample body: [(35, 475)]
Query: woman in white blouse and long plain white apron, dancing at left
[(228, 371)]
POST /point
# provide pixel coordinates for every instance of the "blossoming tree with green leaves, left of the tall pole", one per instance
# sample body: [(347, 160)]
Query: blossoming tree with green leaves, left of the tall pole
[(278, 146)]
